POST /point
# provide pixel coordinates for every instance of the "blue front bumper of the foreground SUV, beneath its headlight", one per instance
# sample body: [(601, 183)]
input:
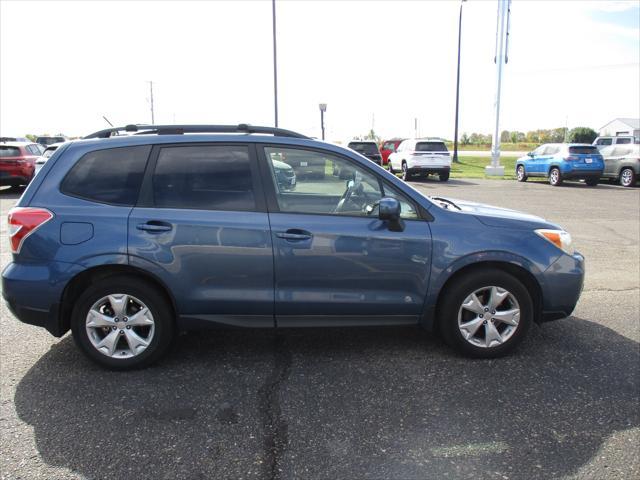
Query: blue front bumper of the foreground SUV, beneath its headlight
[(561, 287)]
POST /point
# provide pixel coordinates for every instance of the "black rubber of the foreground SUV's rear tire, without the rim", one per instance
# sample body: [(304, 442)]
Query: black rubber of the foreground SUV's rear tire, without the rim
[(160, 308)]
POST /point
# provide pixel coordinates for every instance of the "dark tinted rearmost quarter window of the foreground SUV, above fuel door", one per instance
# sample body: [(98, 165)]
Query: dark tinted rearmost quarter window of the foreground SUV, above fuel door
[(109, 176)]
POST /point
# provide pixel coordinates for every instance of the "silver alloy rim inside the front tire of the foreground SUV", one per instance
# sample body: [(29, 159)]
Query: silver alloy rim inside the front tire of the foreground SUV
[(488, 317)]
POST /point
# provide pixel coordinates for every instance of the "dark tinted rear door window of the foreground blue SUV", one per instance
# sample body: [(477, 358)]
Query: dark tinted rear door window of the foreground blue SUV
[(204, 177)]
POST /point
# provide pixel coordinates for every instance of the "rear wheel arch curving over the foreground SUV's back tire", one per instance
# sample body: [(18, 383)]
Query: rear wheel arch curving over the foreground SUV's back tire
[(82, 280)]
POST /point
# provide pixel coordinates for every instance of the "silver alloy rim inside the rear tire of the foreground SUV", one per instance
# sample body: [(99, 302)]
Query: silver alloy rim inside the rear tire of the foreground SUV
[(120, 326)]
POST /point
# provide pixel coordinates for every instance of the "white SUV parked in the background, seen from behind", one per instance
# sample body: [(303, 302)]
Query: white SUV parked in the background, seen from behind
[(421, 156)]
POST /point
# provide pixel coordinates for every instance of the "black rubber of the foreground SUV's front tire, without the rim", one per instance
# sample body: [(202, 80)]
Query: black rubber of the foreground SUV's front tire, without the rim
[(451, 304)]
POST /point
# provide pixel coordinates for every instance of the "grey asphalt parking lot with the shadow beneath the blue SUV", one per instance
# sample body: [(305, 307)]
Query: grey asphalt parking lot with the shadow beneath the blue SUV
[(349, 404)]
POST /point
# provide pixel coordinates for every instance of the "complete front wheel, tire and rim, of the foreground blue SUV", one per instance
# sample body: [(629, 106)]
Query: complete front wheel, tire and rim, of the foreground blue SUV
[(485, 314)]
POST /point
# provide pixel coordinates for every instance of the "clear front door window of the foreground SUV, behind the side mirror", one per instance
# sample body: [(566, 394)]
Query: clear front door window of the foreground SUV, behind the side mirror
[(337, 187)]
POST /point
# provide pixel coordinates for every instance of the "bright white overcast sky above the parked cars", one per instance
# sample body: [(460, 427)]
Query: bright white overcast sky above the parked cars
[(65, 64)]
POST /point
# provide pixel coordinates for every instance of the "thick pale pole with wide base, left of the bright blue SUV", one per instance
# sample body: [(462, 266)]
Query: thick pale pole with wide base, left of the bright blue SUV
[(501, 58)]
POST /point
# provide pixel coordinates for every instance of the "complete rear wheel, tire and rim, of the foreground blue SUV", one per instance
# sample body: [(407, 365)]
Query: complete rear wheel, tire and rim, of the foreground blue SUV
[(122, 323)]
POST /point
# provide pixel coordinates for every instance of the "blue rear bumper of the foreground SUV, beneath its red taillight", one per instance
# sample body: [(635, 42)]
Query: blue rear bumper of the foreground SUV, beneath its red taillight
[(33, 292)]
